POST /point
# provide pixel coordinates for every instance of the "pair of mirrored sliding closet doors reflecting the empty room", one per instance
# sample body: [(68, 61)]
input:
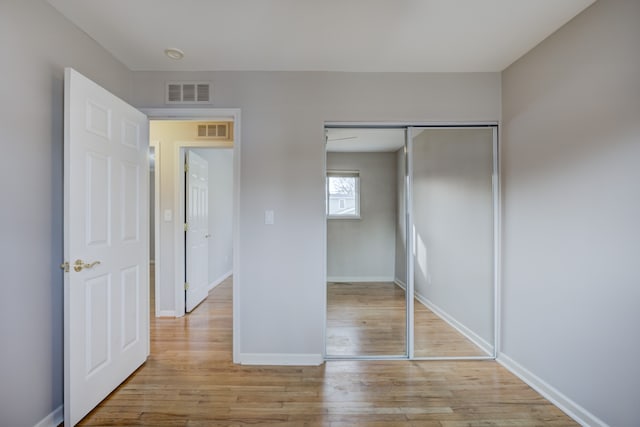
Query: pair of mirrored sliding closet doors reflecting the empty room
[(449, 238)]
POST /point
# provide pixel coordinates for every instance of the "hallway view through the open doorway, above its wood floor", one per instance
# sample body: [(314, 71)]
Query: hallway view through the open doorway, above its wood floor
[(194, 248)]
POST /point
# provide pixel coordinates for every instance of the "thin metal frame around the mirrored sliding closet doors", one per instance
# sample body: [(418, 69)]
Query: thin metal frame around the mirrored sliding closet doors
[(497, 235)]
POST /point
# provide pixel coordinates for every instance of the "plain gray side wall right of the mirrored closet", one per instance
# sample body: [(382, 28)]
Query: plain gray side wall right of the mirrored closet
[(571, 150)]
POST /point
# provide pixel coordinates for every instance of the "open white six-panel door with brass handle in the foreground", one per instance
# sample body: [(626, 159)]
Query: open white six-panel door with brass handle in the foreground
[(106, 290)]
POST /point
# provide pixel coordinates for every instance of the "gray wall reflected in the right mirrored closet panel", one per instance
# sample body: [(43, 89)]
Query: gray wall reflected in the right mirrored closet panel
[(453, 225)]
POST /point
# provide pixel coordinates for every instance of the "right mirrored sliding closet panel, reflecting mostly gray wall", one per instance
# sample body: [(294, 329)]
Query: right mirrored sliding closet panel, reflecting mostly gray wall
[(453, 202)]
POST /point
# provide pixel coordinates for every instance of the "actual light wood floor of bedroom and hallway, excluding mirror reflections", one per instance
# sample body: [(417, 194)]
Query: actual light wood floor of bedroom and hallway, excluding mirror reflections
[(190, 380)]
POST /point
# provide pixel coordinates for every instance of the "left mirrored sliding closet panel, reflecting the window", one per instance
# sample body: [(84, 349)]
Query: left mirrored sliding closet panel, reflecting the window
[(366, 299)]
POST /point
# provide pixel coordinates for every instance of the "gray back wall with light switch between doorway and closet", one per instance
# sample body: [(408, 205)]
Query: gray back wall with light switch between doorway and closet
[(282, 169)]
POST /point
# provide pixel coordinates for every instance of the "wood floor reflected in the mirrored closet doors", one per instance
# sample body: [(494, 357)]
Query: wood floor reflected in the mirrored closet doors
[(369, 319)]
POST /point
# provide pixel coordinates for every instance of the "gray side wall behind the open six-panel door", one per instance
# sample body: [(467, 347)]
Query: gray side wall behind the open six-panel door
[(37, 43)]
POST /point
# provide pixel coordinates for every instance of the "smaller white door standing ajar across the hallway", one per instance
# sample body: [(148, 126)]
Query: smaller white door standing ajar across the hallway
[(197, 234)]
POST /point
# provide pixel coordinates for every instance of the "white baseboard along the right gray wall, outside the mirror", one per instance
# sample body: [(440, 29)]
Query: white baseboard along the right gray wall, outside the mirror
[(566, 405)]
